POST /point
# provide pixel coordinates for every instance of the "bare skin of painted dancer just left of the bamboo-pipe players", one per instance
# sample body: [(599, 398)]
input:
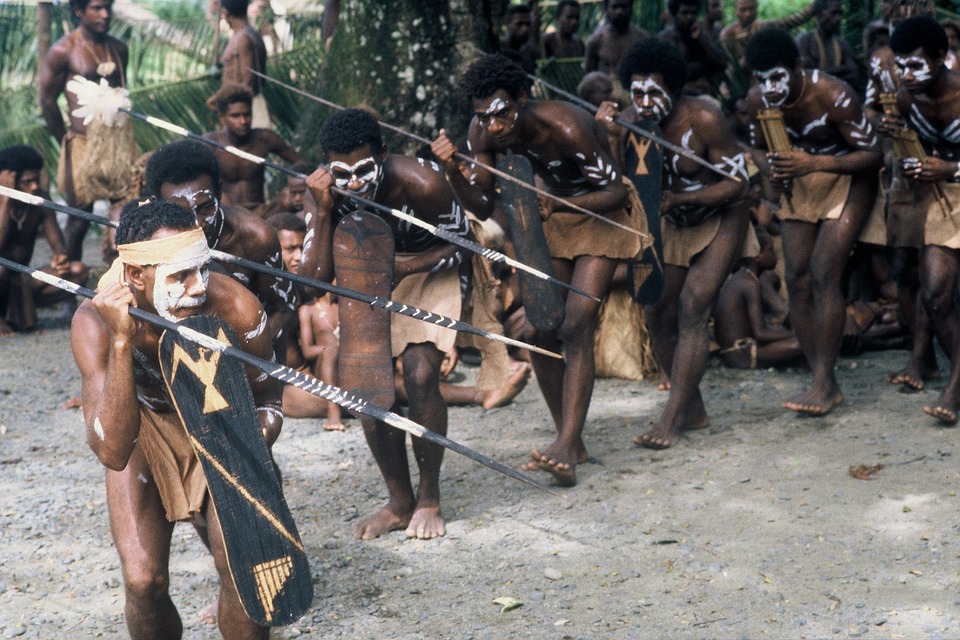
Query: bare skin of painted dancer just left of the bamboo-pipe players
[(678, 320)]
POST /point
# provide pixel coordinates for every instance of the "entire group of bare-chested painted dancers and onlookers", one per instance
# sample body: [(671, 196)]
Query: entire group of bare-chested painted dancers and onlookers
[(800, 163)]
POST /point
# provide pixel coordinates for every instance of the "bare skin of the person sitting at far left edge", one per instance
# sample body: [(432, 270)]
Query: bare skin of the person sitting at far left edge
[(20, 224)]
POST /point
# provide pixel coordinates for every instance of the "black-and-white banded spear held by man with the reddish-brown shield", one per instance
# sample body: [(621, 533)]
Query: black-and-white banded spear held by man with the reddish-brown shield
[(469, 245)]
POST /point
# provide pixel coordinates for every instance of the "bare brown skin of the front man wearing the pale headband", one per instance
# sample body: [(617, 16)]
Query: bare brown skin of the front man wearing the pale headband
[(104, 338)]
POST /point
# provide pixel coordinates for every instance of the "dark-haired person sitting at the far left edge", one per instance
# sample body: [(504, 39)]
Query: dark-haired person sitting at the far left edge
[(20, 223)]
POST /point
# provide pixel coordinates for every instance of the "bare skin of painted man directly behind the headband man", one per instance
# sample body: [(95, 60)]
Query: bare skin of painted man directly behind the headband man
[(244, 235)]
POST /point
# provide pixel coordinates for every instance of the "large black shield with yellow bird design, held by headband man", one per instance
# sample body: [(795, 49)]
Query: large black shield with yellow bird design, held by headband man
[(213, 398)]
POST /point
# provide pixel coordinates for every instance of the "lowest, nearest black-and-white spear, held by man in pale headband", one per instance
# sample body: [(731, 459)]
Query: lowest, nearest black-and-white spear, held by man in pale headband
[(288, 375)]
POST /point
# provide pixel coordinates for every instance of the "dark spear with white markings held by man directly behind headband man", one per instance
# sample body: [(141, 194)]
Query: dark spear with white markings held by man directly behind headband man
[(373, 301)]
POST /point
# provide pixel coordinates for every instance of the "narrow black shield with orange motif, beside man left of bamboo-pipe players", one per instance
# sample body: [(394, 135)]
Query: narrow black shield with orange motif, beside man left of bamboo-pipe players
[(643, 163)]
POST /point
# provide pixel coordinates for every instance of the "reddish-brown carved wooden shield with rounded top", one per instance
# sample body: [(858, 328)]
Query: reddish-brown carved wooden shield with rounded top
[(363, 261)]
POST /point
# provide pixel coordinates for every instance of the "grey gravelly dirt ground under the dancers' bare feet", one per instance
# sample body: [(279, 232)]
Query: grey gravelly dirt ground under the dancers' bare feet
[(751, 528)]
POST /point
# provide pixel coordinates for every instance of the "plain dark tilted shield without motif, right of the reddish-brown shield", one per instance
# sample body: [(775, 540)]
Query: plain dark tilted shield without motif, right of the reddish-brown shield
[(542, 300)]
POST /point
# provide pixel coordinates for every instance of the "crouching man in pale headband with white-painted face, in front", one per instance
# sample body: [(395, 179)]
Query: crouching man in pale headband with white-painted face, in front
[(154, 478)]
